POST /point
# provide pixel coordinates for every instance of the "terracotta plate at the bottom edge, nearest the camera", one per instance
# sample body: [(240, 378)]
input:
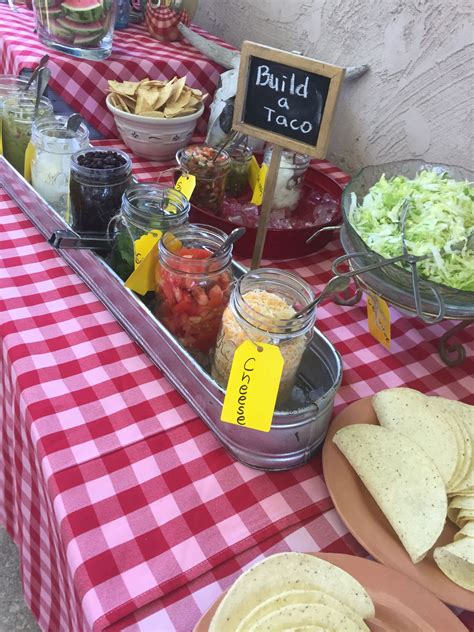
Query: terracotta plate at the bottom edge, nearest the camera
[(400, 604)]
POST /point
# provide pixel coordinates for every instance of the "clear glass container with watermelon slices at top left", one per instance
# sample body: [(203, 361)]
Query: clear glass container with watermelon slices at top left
[(81, 29)]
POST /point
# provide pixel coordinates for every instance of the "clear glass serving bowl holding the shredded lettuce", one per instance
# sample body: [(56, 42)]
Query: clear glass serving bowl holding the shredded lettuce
[(392, 282)]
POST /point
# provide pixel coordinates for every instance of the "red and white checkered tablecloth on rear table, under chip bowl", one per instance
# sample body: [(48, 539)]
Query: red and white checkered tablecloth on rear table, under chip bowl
[(83, 83)]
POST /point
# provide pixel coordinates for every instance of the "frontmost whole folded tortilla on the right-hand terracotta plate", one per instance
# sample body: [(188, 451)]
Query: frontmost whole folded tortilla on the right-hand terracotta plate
[(402, 479)]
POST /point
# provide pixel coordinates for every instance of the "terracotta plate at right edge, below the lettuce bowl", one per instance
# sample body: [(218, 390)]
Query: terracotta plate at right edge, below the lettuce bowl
[(368, 524)]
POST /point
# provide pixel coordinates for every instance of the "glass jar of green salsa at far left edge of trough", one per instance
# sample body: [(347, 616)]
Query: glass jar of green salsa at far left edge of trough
[(17, 120)]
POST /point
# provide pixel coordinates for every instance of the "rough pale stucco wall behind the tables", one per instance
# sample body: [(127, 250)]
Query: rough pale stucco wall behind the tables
[(416, 100)]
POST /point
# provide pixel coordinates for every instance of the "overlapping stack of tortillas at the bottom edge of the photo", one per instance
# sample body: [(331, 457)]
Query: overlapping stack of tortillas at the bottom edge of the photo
[(294, 591)]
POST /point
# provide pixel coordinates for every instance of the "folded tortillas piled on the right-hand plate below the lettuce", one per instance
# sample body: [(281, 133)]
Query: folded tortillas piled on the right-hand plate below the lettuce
[(421, 453)]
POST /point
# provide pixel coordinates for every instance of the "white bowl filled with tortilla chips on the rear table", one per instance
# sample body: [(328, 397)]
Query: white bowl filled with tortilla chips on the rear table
[(155, 118)]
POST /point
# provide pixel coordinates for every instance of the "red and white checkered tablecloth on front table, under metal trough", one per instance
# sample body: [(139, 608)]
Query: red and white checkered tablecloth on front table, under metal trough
[(127, 512)]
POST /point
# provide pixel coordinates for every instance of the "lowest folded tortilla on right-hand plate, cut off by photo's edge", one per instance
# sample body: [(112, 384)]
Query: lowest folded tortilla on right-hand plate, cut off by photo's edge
[(456, 560)]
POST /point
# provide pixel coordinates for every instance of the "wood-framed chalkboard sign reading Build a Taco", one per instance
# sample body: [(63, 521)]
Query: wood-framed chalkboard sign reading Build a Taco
[(286, 99)]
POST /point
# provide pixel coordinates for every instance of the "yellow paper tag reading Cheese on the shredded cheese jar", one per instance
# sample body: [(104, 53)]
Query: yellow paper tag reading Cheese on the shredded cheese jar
[(253, 386)]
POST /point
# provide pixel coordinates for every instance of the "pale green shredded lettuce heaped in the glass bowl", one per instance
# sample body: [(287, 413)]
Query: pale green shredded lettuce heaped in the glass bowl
[(439, 222)]
